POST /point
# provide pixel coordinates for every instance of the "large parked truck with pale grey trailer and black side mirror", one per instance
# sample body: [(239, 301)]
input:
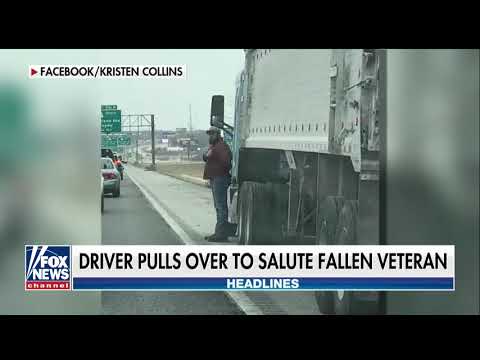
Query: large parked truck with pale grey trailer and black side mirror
[(306, 153)]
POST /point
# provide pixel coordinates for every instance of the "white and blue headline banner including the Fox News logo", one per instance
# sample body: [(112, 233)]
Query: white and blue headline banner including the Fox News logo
[(230, 268)]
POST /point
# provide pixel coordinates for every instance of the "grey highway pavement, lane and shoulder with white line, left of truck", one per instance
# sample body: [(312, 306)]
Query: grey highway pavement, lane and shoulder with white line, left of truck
[(156, 209)]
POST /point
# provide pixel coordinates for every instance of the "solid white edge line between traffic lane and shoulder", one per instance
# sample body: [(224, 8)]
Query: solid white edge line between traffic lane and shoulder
[(240, 298)]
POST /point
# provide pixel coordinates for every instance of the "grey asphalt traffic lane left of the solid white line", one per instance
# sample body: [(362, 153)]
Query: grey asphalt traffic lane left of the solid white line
[(130, 220)]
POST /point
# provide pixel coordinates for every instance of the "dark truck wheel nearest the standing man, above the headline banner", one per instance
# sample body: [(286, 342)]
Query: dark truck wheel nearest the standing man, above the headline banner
[(260, 213)]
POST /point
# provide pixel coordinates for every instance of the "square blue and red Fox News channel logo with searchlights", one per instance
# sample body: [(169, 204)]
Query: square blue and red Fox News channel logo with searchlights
[(47, 267)]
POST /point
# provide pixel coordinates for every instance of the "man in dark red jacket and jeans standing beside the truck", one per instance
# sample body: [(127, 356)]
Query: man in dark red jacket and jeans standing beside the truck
[(218, 163)]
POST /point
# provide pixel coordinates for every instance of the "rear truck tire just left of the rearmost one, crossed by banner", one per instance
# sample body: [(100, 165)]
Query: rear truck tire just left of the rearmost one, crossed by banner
[(327, 219)]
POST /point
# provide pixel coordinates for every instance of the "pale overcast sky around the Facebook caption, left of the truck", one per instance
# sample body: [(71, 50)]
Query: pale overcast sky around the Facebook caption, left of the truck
[(209, 72)]
